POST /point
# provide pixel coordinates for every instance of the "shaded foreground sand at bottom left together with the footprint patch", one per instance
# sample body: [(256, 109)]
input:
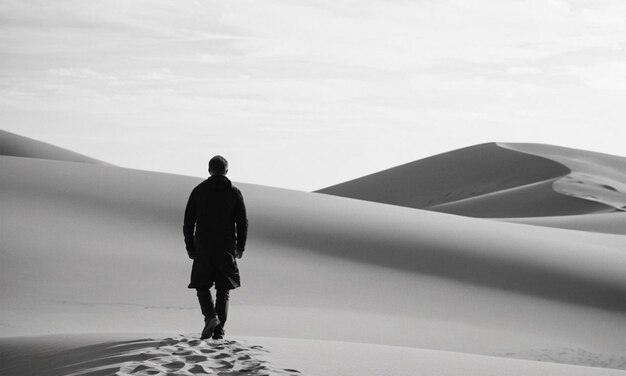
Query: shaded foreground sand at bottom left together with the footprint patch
[(179, 355)]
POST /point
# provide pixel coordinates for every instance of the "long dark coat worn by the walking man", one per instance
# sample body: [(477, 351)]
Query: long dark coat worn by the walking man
[(215, 228)]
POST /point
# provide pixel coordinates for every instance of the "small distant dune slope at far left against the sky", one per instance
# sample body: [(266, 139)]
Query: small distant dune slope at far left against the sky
[(19, 146)]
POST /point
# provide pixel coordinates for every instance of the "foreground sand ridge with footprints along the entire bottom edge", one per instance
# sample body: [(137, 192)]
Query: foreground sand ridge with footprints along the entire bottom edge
[(182, 355)]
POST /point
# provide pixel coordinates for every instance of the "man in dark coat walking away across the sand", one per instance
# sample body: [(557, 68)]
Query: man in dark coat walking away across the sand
[(215, 230)]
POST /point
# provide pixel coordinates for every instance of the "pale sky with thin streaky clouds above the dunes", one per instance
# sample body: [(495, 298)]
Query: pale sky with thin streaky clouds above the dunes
[(307, 94)]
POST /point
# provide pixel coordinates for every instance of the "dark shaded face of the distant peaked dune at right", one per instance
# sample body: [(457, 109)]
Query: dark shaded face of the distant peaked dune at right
[(485, 180)]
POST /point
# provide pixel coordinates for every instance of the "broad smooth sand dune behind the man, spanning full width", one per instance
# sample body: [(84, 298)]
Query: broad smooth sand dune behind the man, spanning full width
[(90, 248)]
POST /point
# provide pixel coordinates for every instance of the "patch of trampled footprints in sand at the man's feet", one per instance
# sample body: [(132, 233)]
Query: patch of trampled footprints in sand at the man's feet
[(185, 356)]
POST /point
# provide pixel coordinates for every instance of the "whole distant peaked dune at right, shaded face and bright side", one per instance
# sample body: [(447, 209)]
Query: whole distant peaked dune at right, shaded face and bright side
[(489, 181)]
